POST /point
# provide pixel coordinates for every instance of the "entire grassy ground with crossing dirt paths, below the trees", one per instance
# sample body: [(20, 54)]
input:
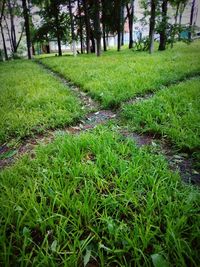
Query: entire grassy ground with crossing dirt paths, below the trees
[(77, 187)]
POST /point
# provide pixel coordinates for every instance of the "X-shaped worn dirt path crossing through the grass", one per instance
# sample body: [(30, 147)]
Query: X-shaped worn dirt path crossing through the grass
[(181, 162)]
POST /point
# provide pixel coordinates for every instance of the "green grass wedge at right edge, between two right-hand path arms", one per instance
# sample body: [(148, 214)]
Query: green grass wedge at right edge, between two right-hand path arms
[(173, 112)]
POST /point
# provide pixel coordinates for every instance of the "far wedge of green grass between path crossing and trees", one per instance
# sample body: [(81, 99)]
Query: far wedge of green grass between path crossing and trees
[(115, 77)]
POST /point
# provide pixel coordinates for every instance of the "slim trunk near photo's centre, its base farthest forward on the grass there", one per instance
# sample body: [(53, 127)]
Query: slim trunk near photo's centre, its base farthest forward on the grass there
[(97, 28)]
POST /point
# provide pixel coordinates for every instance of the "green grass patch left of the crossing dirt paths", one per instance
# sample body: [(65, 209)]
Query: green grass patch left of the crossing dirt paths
[(32, 101)]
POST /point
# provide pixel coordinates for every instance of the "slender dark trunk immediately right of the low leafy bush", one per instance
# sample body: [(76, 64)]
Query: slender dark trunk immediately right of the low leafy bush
[(152, 26)]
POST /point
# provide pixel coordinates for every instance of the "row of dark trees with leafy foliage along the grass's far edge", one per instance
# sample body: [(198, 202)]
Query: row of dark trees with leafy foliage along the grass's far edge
[(89, 22)]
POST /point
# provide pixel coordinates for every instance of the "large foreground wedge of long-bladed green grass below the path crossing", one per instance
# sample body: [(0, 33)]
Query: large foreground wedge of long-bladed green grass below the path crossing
[(97, 197)]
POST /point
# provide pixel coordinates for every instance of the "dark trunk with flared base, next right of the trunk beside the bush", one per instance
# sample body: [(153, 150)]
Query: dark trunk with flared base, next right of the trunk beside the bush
[(163, 35)]
